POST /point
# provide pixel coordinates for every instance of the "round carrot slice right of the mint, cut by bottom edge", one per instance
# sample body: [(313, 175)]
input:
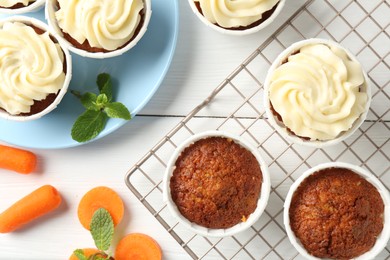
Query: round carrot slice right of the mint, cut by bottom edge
[(138, 246)]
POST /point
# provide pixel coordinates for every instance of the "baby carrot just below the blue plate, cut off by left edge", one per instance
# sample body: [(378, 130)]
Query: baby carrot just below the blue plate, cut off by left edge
[(17, 160)]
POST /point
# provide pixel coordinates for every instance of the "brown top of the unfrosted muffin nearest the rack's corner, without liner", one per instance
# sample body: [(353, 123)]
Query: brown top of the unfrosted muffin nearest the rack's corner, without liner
[(216, 183)]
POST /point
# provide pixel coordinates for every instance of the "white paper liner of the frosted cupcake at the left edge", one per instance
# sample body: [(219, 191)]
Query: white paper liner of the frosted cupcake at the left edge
[(41, 25)]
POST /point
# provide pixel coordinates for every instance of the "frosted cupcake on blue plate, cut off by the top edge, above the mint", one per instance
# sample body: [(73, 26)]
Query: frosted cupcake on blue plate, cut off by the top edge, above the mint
[(99, 29)]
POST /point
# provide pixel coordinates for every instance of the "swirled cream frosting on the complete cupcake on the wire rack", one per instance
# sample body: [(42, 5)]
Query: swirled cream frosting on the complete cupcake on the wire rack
[(317, 92)]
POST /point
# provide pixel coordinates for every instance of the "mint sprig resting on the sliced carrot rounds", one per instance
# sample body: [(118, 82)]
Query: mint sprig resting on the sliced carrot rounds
[(102, 231)]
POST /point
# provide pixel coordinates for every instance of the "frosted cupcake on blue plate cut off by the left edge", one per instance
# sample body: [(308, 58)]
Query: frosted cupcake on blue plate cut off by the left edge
[(34, 69)]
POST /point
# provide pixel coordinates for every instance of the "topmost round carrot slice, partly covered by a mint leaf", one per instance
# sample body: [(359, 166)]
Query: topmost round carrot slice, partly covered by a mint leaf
[(100, 197)]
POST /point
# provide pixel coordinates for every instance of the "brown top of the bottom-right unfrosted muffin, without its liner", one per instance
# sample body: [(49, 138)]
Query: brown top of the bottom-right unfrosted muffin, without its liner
[(335, 213)]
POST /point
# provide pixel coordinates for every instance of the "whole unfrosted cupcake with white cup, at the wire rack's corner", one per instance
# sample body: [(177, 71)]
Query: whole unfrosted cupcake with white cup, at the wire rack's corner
[(216, 184)]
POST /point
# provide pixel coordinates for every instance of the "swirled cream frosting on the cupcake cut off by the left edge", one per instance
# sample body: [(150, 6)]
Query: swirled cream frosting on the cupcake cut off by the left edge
[(31, 67)]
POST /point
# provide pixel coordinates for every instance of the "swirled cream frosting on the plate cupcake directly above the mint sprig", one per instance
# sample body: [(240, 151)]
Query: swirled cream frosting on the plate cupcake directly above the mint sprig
[(105, 24)]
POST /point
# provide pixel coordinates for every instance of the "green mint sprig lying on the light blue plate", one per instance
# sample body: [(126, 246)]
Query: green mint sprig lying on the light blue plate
[(99, 107)]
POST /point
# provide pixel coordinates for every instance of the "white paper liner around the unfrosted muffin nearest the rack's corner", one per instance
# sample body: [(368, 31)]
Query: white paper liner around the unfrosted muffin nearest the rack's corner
[(209, 232)]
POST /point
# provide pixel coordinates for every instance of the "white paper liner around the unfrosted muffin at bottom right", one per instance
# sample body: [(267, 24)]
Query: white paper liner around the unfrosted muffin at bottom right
[(384, 236)]
